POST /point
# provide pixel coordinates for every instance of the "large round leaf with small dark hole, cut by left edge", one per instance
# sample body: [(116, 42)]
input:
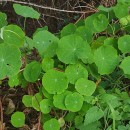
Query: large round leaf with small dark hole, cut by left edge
[(10, 60)]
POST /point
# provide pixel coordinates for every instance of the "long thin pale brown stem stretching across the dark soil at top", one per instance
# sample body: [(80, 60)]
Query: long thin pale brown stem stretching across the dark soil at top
[(48, 8)]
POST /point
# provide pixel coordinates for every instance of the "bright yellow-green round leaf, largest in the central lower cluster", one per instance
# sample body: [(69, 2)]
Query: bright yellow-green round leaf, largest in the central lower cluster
[(55, 82)]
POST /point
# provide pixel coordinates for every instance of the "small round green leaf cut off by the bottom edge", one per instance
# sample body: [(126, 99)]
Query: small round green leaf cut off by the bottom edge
[(51, 124)]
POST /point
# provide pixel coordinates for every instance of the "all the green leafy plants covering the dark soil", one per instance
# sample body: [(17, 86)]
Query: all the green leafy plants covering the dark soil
[(82, 73)]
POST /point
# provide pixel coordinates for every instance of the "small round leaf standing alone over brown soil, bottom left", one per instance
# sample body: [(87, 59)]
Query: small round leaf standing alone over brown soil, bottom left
[(18, 119)]
